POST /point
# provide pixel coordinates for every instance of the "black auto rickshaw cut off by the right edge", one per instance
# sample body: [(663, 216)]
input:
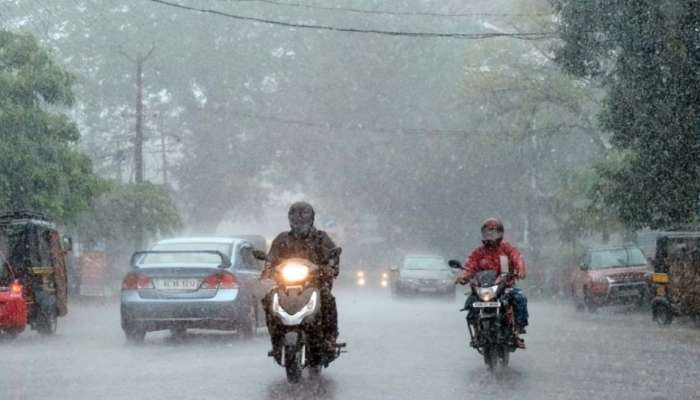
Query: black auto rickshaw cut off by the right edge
[(676, 278)]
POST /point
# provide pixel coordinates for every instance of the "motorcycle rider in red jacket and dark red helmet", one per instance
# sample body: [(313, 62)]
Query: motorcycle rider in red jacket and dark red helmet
[(501, 256)]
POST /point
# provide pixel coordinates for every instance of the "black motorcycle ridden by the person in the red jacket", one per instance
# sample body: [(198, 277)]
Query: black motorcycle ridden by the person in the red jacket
[(493, 332)]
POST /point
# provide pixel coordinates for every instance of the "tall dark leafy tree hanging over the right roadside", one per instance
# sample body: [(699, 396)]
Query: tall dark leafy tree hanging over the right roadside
[(647, 55)]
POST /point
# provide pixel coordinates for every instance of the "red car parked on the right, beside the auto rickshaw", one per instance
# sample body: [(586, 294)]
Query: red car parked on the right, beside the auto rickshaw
[(609, 275)]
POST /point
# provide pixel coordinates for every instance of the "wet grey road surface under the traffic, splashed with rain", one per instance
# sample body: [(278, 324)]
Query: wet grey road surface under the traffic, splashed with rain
[(410, 349)]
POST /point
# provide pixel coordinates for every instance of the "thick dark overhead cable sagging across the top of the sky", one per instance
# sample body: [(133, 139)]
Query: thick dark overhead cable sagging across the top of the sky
[(471, 36)]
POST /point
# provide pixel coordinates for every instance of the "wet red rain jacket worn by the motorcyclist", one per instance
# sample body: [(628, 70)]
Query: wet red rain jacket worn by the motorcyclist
[(505, 256)]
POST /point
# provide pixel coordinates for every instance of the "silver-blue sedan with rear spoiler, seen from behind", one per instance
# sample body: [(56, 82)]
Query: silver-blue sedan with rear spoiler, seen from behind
[(206, 283)]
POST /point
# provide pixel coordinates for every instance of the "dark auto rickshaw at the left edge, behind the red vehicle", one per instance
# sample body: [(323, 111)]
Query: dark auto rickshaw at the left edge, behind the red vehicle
[(32, 247)]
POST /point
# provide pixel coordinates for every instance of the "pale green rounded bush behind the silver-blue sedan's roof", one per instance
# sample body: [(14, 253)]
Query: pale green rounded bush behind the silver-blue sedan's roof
[(115, 213)]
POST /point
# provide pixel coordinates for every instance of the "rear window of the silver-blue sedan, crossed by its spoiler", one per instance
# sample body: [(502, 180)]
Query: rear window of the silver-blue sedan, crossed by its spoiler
[(201, 259)]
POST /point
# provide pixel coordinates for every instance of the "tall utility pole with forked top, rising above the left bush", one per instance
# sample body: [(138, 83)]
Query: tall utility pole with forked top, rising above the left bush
[(139, 60)]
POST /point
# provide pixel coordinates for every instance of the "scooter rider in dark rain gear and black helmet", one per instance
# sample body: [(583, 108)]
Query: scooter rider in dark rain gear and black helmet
[(303, 240)]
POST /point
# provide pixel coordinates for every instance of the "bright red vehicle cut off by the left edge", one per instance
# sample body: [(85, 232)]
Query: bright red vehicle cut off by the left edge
[(13, 306)]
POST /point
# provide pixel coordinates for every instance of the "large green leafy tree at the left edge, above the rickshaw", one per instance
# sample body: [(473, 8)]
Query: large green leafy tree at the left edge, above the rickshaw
[(40, 168)]
